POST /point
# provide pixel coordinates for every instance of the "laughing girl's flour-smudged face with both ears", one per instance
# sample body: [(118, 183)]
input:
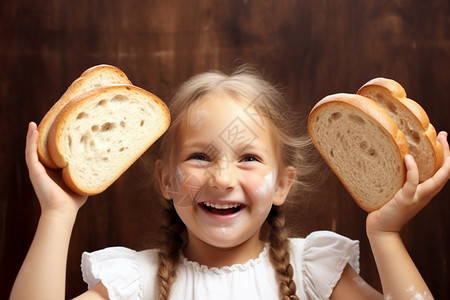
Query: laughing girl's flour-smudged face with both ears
[(224, 174)]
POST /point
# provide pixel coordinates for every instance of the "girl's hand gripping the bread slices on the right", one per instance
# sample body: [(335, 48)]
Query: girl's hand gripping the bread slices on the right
[(412, 197)]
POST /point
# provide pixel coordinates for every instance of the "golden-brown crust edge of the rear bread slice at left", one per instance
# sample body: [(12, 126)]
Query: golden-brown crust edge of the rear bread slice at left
[(47, 121)]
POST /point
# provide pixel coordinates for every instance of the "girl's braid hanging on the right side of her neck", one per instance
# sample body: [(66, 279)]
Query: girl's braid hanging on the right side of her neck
[(279, 254)]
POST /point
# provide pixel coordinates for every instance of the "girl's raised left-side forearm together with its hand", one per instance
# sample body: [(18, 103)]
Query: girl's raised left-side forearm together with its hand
[(43, 273)]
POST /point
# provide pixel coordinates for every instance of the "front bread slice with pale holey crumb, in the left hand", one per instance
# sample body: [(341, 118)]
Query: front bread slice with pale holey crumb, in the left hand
[(99, 135)]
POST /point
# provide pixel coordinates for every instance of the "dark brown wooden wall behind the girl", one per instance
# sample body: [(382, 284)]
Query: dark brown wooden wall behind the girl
[(311, 48)]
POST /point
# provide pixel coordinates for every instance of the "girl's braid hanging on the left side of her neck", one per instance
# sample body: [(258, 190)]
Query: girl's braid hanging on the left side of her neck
[(171, 243)]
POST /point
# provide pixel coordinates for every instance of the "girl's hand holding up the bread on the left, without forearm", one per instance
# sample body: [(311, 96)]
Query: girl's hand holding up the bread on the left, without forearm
[(48, 185)]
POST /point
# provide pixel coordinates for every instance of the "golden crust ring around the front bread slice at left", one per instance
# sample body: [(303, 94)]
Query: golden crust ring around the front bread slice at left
[(55, 138)]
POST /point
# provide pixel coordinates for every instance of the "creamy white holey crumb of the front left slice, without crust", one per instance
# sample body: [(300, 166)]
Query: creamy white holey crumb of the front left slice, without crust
[(104, 137)]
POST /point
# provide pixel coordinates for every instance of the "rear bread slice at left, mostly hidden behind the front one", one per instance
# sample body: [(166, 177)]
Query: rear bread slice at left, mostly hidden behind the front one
[(94, 77)]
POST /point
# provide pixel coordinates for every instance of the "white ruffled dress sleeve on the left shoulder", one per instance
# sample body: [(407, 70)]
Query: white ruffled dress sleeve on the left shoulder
[(117, 268)]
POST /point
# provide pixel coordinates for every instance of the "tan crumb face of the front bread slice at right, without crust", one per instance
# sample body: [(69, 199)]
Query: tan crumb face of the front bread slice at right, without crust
[(355, 147)]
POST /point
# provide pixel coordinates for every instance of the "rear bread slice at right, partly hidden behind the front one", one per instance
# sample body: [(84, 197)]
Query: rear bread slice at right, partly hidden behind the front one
[(411, 119)]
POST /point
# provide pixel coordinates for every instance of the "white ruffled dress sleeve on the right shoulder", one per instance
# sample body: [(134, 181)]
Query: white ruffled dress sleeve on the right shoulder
[(325, 255)]
